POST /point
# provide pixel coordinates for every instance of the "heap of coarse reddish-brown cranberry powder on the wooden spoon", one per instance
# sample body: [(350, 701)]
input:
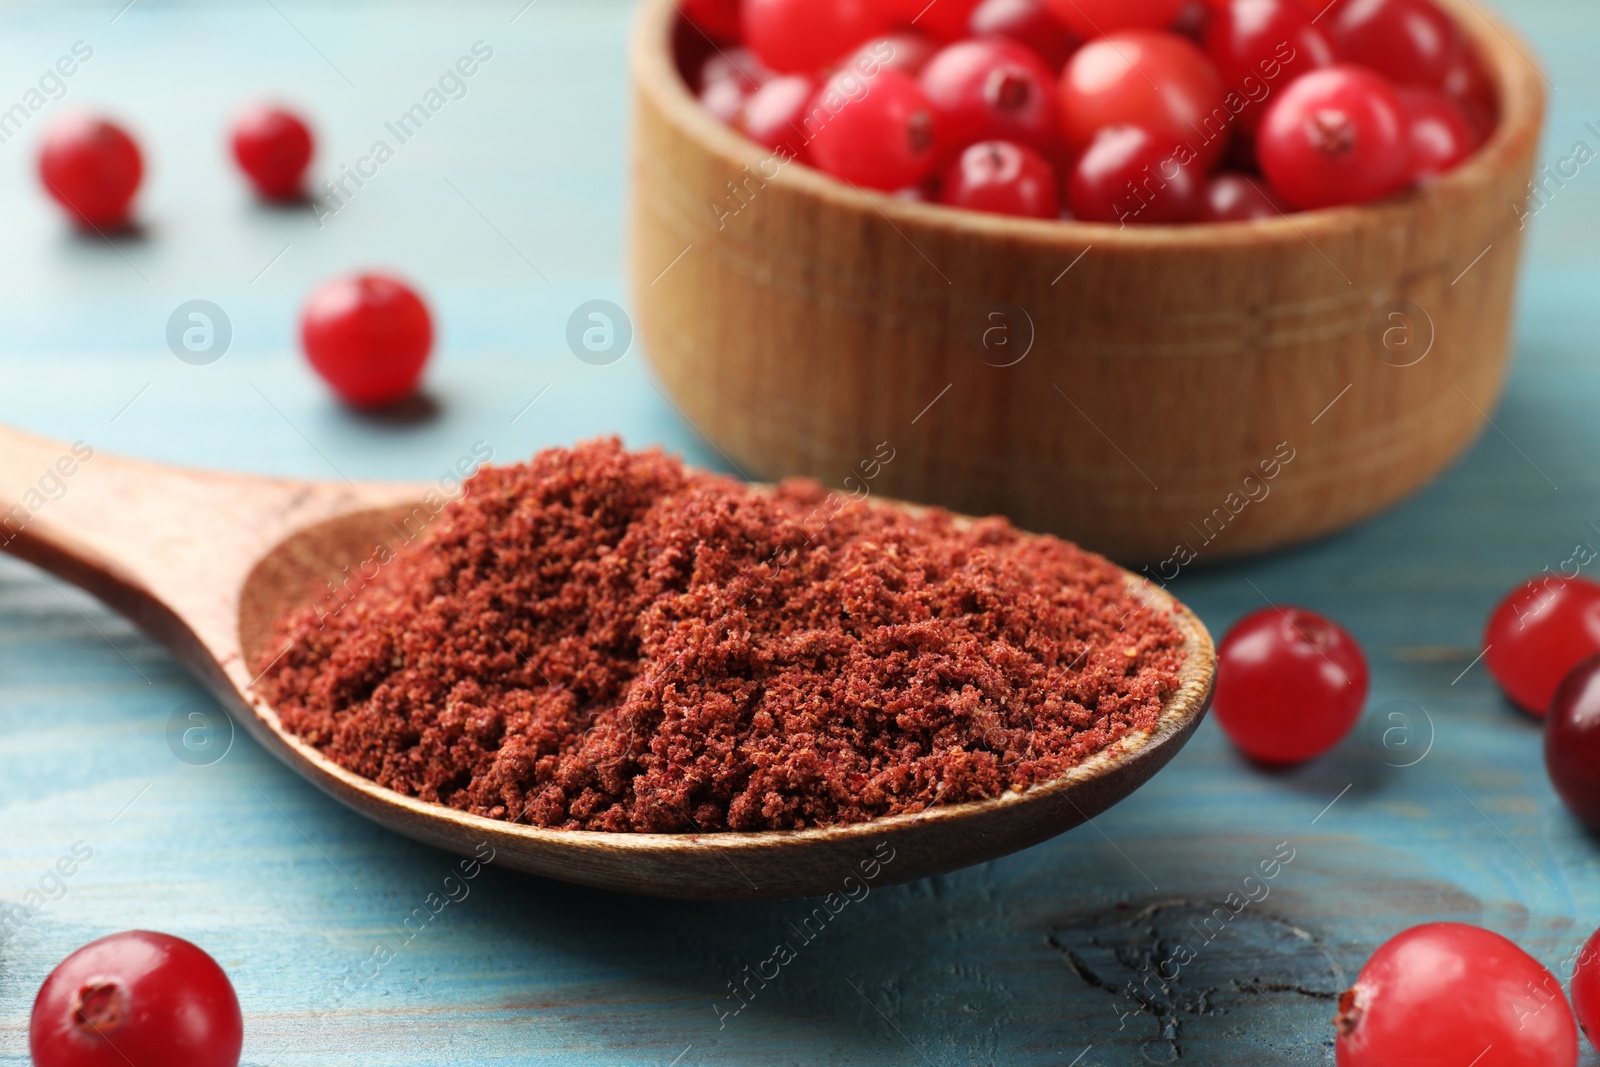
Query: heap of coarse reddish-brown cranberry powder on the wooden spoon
[(607, 641)]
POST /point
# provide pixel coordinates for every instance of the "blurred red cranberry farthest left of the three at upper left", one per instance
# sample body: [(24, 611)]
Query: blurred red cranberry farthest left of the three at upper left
[(92, 167)]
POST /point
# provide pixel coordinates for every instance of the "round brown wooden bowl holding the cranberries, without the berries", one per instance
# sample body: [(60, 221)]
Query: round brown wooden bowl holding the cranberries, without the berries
[(1159, 394)]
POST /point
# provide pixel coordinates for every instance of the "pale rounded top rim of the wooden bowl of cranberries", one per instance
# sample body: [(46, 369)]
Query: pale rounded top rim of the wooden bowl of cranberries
[(1518, 79)]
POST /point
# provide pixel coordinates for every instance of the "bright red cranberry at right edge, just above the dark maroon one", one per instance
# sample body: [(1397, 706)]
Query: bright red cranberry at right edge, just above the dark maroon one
[(1538, 634)]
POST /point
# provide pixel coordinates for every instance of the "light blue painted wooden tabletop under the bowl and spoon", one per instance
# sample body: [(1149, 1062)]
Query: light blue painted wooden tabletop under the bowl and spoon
[(506, 209)]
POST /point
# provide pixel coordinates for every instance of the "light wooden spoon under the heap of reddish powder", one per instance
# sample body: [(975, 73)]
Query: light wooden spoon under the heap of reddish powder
[(209, 562)]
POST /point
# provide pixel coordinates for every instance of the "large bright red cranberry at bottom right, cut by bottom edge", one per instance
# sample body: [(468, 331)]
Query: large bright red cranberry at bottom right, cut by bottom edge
[(1455, 994)]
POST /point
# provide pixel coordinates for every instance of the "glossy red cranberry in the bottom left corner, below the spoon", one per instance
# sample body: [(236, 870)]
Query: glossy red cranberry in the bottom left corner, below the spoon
[(137, 1001)]
